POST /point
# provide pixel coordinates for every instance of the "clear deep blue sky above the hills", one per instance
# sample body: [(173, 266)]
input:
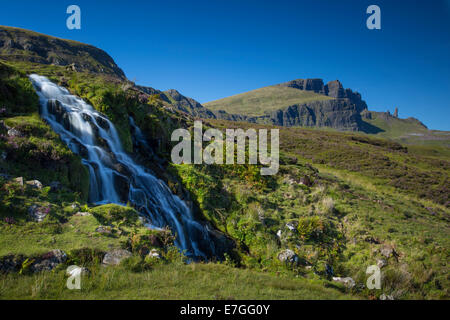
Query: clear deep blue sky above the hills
[(213, 49)]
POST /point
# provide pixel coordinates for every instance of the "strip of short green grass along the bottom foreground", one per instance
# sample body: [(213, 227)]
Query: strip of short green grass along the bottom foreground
[(194, 281)]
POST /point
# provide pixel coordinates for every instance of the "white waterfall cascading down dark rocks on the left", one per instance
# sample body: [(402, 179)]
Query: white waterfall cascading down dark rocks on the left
[(114, 175)]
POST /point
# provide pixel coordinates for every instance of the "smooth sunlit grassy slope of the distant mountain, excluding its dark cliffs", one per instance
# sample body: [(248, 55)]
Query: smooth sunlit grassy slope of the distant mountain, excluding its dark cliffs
[(260, 101)]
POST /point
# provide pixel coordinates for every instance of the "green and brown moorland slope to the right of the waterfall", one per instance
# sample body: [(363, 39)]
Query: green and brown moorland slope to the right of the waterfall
[(365, 189)]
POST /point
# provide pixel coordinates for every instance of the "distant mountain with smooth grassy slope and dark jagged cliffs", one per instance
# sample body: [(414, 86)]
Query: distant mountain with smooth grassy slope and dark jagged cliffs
[(301, 102)]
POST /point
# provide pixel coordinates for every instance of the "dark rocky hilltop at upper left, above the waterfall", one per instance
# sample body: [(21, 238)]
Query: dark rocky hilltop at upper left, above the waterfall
[(24, 45)]
